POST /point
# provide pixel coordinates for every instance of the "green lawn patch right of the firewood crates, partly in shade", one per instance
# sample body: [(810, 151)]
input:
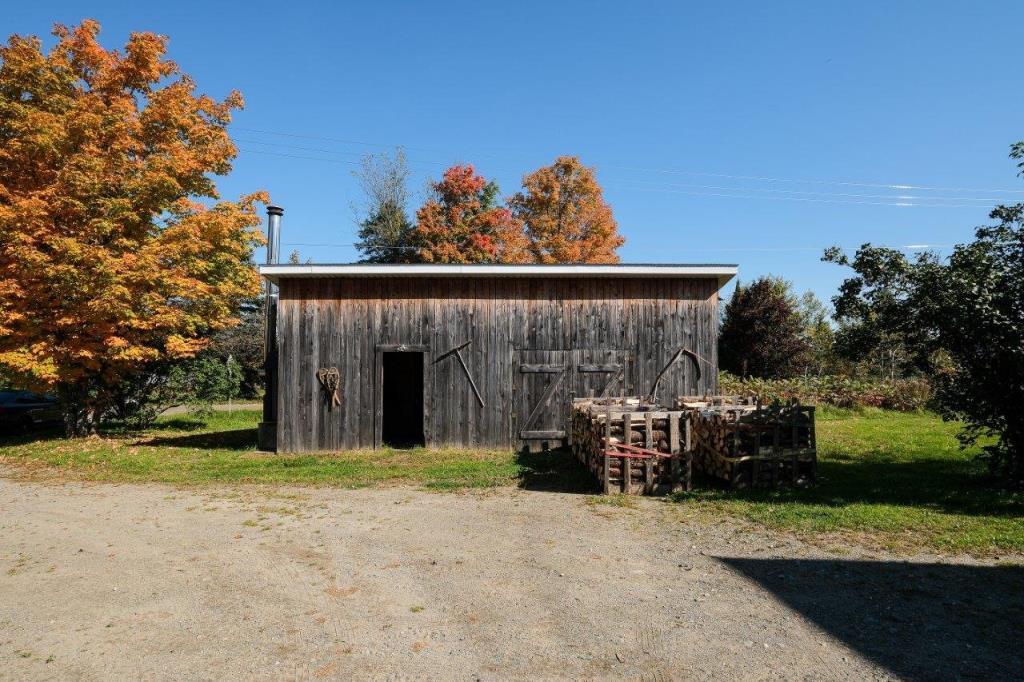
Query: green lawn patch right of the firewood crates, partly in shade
[(898, 479)]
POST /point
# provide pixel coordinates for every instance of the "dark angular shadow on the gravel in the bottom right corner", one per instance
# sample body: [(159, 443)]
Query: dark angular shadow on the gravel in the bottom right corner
[(920, 621)]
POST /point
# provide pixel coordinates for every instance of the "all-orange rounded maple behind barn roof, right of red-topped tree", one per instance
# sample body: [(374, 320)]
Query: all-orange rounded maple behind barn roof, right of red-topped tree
[(566, 217)]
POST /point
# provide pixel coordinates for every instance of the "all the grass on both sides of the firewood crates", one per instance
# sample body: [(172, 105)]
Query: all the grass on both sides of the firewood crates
[(891, 479)]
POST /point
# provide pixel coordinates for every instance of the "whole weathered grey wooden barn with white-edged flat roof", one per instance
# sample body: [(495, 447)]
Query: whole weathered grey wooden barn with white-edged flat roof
[(490, 356)]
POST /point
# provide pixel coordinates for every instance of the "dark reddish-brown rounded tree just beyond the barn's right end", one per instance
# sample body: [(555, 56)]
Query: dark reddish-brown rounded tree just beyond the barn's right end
[(762, 332)]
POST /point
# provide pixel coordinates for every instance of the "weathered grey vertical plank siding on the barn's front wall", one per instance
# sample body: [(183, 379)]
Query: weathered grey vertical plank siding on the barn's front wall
[(588, 326)]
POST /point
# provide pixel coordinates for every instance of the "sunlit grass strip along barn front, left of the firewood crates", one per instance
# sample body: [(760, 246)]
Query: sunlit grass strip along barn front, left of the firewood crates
[(223, 449)]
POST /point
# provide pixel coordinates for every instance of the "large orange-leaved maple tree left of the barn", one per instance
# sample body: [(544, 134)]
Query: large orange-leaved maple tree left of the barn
[(110, 259)]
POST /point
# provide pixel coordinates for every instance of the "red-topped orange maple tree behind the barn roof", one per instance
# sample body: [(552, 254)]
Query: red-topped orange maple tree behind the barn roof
[(462, 224)]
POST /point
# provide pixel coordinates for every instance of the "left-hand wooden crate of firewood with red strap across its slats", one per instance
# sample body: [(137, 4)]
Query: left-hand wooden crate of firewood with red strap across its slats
[(631, 447)]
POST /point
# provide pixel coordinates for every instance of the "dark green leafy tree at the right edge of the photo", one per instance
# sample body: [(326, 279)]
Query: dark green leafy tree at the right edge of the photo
[(962, 321)]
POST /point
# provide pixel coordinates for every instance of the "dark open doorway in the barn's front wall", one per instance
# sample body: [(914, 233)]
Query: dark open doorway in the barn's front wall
[(402, 400)]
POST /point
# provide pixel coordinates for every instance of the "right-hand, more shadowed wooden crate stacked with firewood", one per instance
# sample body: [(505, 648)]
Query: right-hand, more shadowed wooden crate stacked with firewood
[(748, 445)]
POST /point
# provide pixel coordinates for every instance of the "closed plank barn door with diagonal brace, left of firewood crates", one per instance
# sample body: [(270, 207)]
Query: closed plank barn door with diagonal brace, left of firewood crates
[(541, 397)]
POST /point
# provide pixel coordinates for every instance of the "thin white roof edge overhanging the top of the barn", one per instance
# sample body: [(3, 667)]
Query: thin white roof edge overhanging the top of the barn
[(705, 272)]
